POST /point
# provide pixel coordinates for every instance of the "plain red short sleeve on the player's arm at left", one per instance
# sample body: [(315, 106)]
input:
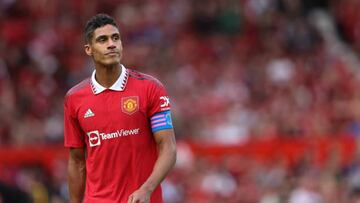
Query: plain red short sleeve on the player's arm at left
[(73, 135)]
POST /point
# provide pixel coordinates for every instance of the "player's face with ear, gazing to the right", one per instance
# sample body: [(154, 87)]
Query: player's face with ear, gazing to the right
[(105, 47)]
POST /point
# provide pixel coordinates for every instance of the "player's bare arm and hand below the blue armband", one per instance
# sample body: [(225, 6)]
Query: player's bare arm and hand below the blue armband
[(165, 140)]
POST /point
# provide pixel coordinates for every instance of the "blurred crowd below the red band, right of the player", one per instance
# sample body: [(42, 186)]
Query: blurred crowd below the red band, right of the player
[(239, 179)]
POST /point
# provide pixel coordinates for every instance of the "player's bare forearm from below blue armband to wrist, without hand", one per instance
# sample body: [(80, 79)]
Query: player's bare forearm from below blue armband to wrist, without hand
[(164, 163)]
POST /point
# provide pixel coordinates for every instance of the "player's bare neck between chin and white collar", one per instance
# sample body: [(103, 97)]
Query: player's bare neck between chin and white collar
[(107, 76)]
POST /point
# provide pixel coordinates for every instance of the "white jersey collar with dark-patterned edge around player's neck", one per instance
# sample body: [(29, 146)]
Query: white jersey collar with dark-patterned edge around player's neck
[(119, 85)]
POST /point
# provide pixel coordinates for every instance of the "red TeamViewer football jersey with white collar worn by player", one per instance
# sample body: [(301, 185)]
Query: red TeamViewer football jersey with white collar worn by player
[(114, 126)]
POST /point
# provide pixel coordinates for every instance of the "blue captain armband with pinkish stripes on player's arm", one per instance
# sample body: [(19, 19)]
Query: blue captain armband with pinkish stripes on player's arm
[(161, 121)]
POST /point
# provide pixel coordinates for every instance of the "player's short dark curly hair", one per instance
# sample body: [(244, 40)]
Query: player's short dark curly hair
[(95, 22)]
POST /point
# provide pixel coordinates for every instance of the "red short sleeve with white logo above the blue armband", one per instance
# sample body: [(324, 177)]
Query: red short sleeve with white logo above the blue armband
[(159, 100)]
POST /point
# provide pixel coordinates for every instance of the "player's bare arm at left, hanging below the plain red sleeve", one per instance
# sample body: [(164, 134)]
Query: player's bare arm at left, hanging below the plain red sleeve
[(76, 174)]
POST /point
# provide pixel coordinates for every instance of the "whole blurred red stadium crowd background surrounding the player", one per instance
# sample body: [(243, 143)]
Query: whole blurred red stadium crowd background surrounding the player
[(265, 94)]
